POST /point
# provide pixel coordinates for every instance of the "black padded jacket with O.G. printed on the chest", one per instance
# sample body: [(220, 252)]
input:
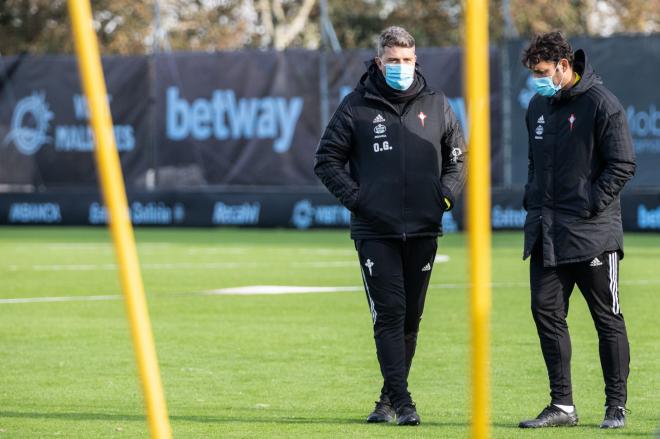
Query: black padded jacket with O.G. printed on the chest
[(401, 164)]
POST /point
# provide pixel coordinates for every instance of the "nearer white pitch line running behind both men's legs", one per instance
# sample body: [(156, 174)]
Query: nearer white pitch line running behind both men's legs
[(256, 290)]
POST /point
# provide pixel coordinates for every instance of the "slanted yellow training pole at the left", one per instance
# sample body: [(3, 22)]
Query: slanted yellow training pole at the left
[(112, 185)]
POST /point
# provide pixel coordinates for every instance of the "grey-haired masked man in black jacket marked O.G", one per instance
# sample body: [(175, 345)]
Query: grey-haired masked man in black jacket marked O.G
[(405, 152)]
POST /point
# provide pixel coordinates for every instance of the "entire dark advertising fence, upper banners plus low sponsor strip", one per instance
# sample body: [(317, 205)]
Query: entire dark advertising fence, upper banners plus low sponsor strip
[(195, 130)]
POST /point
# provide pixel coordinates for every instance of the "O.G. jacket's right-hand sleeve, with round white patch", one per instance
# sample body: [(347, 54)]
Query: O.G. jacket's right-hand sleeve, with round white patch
[(454, 152)]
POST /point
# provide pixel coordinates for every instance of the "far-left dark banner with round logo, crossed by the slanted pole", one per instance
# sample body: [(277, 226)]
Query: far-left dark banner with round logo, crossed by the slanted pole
[(45, 138)]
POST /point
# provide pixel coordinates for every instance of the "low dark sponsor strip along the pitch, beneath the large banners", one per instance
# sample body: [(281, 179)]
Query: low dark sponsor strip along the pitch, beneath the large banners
[(300, 209)]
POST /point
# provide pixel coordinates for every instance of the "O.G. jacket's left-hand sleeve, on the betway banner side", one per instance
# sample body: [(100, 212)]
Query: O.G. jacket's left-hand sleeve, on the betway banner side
[(332, 155)]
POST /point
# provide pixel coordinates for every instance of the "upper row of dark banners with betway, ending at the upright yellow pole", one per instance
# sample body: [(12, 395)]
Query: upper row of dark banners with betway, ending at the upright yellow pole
[(193, 119)]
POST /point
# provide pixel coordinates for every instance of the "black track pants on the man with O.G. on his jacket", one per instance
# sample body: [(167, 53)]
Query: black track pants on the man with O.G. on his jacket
[(396, 276)]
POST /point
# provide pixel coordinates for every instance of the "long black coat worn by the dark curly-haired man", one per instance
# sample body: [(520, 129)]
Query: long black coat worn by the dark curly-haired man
[(580, 157)]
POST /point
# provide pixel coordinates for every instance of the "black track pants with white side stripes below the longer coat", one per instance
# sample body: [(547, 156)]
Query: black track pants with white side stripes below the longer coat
[(551, 289)]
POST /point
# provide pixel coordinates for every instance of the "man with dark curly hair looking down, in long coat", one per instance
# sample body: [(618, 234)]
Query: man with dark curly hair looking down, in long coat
[(580, 157)]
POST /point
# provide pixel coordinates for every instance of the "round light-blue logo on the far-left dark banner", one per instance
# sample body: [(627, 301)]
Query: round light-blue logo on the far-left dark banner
[(29, 124)]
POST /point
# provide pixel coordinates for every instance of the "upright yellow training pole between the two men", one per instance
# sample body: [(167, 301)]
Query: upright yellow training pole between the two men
[(477, 93)]
